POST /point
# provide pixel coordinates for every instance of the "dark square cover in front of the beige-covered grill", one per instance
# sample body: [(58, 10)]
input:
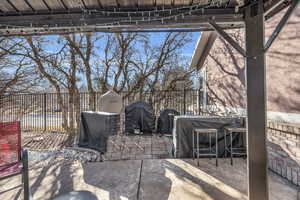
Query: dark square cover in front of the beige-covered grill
[(96, 127)]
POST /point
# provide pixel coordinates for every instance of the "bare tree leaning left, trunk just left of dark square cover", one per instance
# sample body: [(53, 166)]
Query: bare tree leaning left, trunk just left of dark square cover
[(59, 67)]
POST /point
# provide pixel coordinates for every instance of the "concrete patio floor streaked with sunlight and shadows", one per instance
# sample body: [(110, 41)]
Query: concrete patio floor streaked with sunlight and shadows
[(150, 179)]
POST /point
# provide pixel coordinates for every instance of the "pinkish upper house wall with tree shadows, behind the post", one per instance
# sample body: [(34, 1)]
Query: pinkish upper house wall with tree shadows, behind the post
[(225, 73)]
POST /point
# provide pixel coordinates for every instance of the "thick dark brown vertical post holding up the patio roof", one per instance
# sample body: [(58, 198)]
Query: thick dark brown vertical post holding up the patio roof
[(256, 102)]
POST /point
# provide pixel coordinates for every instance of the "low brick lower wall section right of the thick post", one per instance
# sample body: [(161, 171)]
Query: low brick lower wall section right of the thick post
[(284, 150)]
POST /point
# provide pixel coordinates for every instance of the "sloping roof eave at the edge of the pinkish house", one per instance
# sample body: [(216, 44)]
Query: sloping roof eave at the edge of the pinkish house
[(203, 46)]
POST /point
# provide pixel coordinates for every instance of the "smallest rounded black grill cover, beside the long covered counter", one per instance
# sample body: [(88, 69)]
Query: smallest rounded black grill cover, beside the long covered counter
[(165, 121)]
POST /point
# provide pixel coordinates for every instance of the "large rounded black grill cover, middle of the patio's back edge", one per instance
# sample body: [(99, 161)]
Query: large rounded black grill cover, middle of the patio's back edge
[(139, 116)]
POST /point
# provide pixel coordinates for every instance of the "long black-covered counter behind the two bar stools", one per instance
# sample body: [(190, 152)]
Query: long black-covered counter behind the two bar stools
[(184, 126)]
